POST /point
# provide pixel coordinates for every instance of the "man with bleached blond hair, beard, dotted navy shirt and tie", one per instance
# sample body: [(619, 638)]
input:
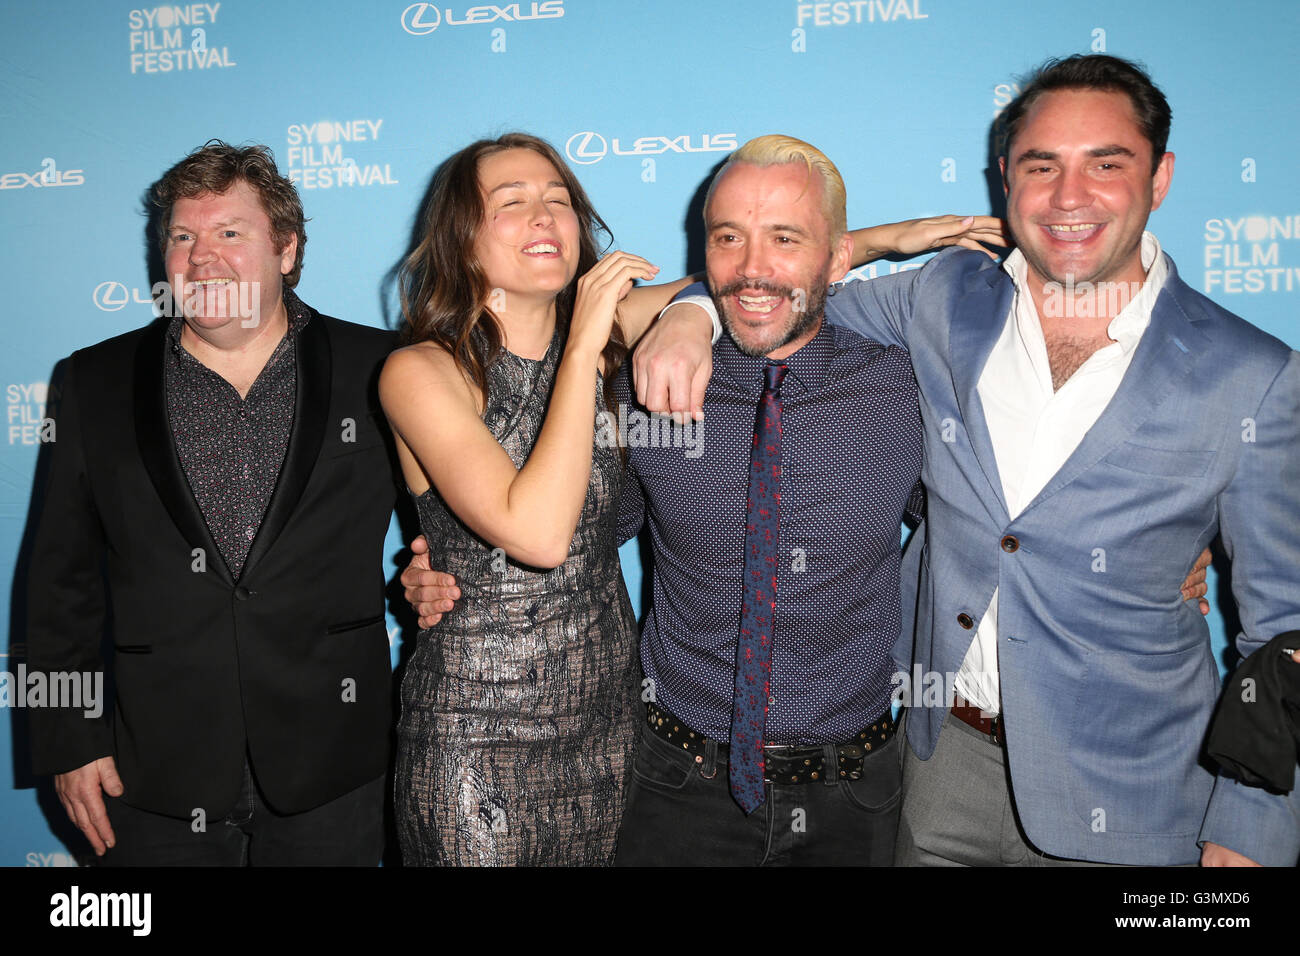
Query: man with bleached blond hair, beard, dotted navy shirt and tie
[(773, 742)]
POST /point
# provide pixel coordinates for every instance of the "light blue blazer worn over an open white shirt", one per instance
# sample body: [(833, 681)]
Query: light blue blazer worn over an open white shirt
[(1108, 678)]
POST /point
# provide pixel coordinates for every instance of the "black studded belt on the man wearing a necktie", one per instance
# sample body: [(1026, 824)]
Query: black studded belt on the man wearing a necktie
[(783, 764)]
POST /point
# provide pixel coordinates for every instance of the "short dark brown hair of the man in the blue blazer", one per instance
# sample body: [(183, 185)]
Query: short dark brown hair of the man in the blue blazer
[(1094, 72)]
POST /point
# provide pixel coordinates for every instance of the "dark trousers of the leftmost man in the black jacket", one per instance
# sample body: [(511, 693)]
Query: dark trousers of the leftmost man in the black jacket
[(346, 832)]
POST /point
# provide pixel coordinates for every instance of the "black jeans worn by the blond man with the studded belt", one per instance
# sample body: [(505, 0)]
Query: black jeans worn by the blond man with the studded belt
[(682, 814)]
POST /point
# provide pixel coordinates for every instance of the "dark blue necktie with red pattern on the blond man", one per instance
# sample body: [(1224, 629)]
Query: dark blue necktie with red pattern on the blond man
[(755, 647)]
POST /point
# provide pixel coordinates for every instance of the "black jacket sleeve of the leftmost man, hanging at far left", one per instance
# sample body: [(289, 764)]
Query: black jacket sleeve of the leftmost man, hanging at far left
[(67, 604)]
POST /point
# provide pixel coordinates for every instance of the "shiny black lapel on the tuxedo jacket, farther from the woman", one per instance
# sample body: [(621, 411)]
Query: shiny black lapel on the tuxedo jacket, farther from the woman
[(158, 449)]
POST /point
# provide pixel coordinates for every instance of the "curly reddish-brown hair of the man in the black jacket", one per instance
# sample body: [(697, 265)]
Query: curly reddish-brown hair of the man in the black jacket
[(216, 167)]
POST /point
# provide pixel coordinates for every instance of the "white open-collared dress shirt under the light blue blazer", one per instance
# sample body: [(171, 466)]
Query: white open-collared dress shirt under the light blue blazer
[(1035, 429)]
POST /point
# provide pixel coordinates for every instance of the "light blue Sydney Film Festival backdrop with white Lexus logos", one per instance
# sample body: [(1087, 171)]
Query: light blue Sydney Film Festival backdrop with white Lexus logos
[(361, 102)]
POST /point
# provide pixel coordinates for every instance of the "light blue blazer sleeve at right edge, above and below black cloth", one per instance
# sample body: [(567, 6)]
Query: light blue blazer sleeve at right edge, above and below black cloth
[(1260, 526)]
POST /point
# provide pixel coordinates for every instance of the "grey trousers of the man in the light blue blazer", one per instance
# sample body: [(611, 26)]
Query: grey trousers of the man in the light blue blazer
[(957, 807)]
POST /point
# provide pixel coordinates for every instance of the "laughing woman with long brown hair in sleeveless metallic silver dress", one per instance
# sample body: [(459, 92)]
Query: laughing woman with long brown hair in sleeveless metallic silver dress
[(518, 712)]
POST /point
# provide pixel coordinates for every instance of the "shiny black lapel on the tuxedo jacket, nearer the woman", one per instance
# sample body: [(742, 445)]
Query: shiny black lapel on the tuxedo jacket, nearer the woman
[(311, 406)]
